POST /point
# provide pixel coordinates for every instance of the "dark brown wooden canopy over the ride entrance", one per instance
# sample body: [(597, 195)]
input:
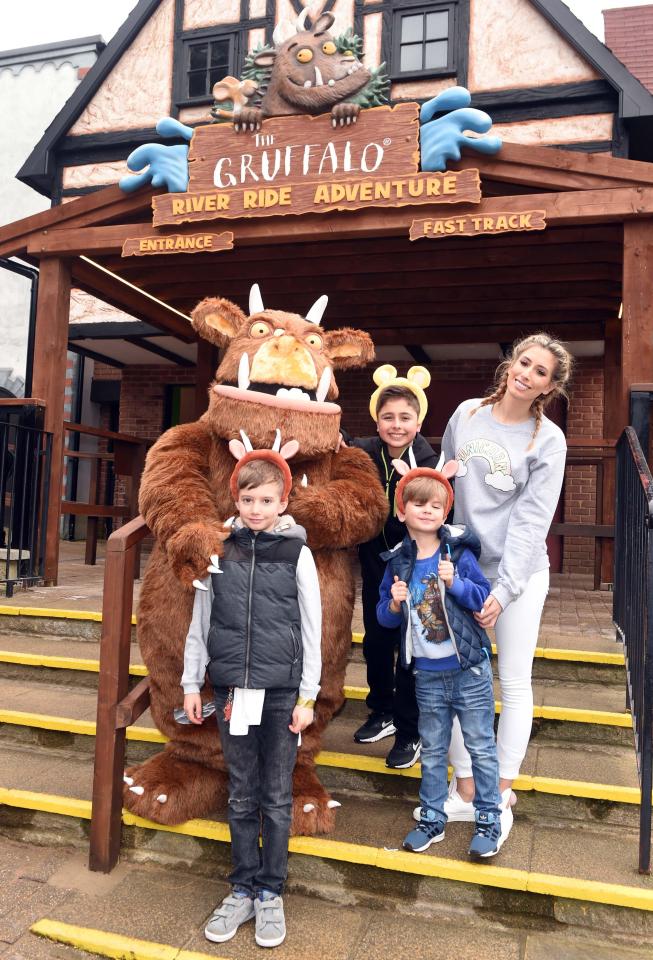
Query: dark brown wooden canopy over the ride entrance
[(571, 278)]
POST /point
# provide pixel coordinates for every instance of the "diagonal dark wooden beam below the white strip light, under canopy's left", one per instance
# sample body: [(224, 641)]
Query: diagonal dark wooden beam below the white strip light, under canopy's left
[(133, 301)]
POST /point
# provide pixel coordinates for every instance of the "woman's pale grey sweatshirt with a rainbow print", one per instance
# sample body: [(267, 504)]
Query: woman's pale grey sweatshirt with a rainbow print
[(506, 492)]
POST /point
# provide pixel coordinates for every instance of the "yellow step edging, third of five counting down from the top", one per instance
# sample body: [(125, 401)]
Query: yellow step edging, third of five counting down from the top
[(348, 761)]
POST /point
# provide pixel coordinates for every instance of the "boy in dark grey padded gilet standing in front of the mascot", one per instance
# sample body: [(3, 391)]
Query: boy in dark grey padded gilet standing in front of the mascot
[(256, 629)]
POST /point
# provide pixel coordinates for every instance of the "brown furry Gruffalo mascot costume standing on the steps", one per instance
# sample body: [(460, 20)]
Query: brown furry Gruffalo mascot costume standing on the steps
[(277, 373)]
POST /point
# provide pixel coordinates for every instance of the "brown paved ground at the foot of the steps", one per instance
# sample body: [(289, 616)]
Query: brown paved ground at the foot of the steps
[(170, 907)]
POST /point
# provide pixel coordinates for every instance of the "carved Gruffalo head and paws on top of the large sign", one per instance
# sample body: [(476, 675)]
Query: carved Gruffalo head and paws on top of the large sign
[(309, 75)]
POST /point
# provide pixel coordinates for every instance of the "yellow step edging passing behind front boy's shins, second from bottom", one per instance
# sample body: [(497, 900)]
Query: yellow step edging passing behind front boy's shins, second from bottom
[(401, 861)]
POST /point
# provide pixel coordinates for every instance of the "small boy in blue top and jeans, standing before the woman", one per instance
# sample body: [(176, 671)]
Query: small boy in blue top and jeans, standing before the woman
[(431, 587)]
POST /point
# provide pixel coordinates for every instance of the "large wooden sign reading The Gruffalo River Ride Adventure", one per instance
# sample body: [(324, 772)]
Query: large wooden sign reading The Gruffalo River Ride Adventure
[(302, 164)]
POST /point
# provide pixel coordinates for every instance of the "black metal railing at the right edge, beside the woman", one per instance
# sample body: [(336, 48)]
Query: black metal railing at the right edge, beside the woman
[(633, 610)]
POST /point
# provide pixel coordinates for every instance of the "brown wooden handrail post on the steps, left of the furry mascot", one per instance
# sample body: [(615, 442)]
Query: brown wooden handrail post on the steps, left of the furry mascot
[(113, 690)]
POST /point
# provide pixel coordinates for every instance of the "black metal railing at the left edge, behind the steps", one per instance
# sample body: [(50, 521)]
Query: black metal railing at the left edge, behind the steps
[(25, 453)]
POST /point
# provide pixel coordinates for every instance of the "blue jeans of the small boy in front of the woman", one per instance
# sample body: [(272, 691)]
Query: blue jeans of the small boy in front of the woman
[(469, 695)]
